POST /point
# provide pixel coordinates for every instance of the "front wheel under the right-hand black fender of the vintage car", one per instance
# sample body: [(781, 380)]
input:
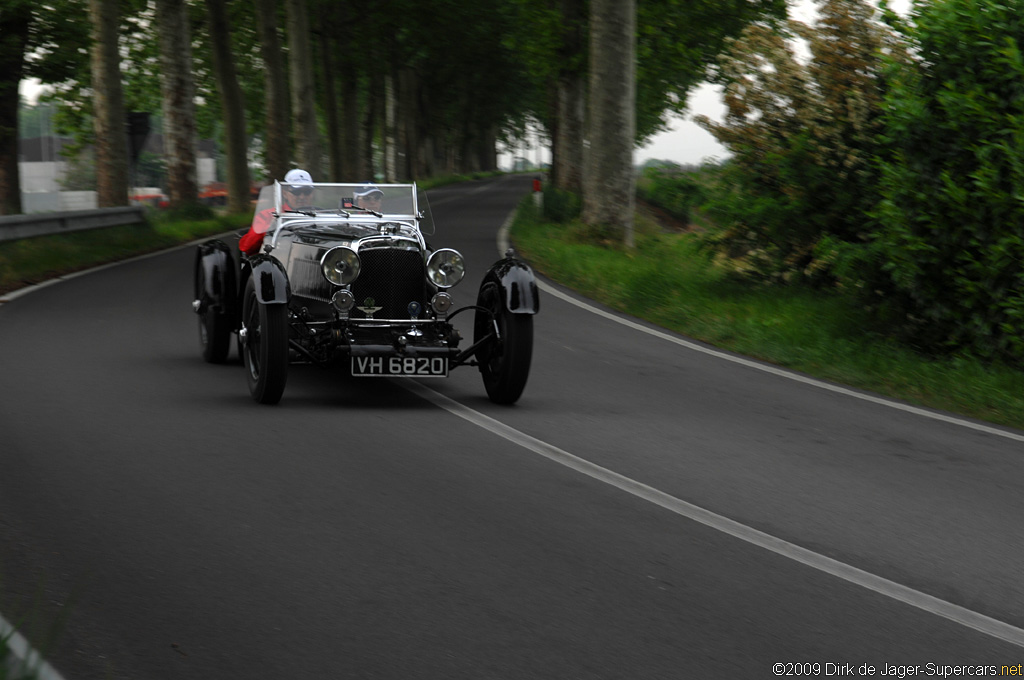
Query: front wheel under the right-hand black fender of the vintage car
[(505, 361)]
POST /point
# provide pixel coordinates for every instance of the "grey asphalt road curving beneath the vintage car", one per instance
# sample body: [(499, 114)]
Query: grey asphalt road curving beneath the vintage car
[(374, 529)]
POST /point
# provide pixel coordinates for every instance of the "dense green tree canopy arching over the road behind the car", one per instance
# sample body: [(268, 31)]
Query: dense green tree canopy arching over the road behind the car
[(401, 90)]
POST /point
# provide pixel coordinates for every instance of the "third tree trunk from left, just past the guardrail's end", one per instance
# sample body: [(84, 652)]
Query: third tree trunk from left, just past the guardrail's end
[(179, 102)]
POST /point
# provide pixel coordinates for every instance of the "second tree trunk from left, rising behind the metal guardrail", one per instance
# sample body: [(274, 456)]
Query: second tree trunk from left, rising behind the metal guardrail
[(108, 106)]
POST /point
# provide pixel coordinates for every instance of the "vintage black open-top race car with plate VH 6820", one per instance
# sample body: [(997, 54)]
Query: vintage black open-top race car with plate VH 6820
[(336, 282)]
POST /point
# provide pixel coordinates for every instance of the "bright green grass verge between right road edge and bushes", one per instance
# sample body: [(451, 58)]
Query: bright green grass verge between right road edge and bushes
[(669, 280)]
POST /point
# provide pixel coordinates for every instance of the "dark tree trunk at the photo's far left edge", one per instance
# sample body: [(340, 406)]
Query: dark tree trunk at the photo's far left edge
[(16, 23)]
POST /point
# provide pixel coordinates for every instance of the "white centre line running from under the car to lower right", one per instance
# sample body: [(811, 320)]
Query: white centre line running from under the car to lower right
[(955, 613)]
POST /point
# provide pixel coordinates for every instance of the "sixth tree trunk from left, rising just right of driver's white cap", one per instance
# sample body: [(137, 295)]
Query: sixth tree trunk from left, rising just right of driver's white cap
[(304, 94)]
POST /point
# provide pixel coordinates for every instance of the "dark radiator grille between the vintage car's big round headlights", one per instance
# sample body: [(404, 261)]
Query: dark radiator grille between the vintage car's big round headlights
[(390, 279)]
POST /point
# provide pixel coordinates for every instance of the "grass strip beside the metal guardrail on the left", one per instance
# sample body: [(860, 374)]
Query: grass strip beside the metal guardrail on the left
[(28, 262)]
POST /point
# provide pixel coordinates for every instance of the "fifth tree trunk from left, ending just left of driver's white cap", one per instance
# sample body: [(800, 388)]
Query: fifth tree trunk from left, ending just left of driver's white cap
[(278, 123)]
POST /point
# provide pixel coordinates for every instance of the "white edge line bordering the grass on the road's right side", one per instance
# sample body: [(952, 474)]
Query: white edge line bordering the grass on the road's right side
[(503, 243)]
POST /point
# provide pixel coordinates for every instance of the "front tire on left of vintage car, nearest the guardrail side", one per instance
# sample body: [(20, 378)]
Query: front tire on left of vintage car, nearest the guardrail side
[(265, 351)]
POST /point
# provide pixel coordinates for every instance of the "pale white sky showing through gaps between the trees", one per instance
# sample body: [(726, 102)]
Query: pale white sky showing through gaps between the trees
[(685, 143)]
